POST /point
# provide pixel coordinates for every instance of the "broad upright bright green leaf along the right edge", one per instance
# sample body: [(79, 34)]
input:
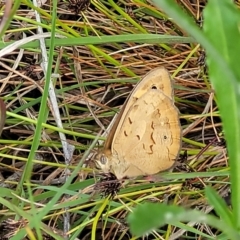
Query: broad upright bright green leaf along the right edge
[(224, 37)]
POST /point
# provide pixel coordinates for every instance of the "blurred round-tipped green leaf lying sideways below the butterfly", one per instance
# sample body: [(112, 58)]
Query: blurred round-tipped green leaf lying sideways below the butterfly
[(150, 216)]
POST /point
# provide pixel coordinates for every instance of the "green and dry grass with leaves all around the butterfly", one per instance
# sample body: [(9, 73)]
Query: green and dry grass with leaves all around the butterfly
[(90, 60)]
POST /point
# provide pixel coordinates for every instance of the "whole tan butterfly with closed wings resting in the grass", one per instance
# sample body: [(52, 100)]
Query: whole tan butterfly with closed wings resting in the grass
[(146, 137)]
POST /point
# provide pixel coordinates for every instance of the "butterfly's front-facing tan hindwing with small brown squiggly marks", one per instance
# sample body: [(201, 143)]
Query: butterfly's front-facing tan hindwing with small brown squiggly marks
[(149, 139)]
